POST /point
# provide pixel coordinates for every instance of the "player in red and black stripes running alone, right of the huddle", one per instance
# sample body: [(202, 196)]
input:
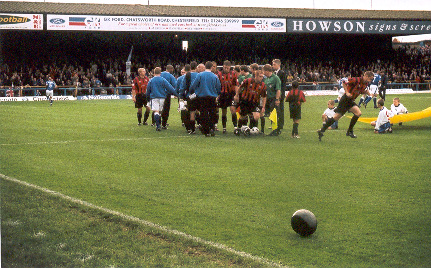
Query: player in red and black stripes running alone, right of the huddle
[(354, 87)]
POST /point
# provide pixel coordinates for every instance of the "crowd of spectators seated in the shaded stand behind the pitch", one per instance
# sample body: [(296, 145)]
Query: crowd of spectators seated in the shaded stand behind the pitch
[(406, 63)]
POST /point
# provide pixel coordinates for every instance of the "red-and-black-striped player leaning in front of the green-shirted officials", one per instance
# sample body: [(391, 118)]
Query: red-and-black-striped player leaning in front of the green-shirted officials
[(248, 96)]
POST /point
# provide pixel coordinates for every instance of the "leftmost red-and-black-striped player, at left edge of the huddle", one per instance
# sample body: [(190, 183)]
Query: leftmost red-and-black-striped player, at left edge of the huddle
[(139, 88)]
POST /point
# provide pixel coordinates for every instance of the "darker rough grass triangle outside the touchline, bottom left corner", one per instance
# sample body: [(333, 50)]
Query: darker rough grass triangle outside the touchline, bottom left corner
[(40, 230)]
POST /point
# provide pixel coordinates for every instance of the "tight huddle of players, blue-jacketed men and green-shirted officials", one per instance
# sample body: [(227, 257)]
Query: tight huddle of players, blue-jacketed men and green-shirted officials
[(252, 91)]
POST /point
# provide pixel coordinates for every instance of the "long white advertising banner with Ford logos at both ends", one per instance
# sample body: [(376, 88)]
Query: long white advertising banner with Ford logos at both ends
[(167, 24)]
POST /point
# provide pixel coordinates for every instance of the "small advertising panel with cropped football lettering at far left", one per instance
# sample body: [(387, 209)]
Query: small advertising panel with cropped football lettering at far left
[(21, 21)]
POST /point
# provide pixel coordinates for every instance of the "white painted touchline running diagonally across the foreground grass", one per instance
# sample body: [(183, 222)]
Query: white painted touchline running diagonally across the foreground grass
[(147, 223)]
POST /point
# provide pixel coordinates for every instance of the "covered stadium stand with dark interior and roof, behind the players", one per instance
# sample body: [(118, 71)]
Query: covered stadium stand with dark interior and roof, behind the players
[(97, 59)]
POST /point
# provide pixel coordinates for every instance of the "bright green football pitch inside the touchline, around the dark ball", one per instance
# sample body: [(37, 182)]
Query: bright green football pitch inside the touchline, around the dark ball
[(371, 195)]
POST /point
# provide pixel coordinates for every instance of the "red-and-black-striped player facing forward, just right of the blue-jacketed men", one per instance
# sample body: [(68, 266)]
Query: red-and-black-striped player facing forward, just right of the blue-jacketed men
[(229, 85)]
